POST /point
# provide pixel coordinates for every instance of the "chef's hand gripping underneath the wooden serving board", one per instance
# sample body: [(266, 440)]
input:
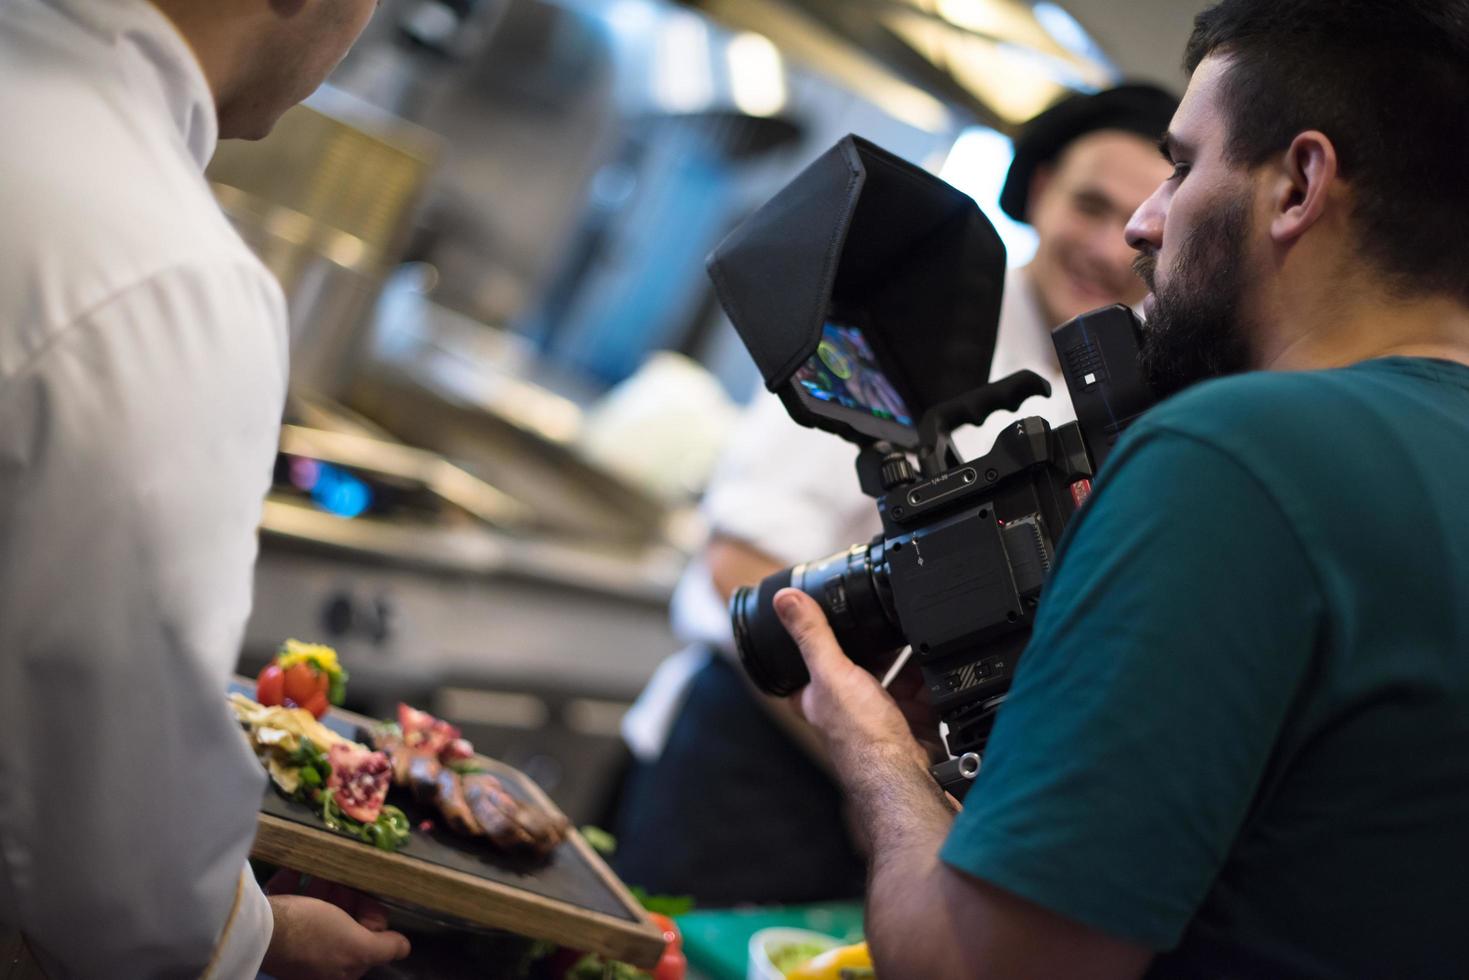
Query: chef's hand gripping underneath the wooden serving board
[(328, 934)]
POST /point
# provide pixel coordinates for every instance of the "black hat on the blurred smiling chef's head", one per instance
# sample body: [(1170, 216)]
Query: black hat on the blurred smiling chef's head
[(1136, 108)]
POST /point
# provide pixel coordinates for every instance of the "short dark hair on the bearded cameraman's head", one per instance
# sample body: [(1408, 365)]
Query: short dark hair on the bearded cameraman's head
[(1389, 84)]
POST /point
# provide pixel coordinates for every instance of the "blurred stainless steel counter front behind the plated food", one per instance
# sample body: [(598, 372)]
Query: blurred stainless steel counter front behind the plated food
[(525, 621)]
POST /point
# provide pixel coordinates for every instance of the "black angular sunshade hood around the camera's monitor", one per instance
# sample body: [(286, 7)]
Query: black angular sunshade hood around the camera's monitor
[(878, 242)]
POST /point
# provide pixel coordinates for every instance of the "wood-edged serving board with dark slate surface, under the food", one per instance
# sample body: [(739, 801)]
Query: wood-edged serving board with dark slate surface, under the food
[(571, 897)]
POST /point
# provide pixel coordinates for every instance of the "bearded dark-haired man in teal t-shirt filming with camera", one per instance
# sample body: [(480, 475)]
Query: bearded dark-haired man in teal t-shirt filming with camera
[(1239, 740)]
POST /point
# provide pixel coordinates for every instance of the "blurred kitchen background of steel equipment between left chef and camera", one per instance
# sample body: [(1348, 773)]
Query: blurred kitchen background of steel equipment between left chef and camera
[(510, 377)]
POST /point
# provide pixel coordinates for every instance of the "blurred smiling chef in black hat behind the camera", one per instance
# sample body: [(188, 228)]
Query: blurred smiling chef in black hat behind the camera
[(721, 803)]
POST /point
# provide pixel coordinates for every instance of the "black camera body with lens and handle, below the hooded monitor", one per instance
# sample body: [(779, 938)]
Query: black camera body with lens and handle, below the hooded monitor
[(964, 555)]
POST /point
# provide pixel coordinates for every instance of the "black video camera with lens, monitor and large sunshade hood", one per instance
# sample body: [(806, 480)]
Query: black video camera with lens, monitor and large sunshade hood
[(869, 295)]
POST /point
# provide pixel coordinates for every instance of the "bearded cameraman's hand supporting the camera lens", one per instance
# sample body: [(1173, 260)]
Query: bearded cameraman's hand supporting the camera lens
[(845, 703)]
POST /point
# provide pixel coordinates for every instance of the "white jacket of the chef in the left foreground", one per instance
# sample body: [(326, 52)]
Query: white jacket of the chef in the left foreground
[(143, 370)]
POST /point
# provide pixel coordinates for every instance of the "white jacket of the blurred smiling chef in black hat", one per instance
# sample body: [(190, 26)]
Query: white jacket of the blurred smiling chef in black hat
[(793, 493)]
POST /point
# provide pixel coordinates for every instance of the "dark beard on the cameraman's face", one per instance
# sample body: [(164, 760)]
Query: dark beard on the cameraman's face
[(1195, 330)]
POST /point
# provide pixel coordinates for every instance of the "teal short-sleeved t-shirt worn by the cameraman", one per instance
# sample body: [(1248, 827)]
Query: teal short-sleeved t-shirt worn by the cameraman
[(1241, 732)]
